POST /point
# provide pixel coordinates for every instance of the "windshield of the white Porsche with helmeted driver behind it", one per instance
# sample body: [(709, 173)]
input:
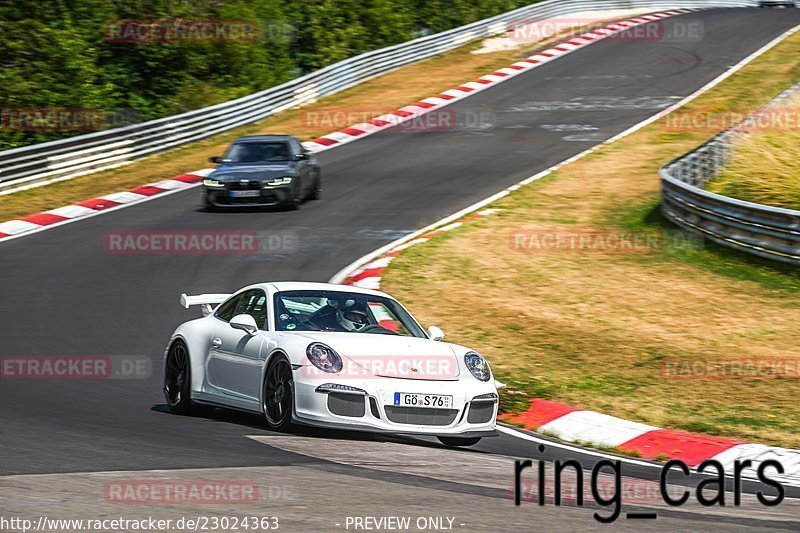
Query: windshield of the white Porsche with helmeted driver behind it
[(313, 310)]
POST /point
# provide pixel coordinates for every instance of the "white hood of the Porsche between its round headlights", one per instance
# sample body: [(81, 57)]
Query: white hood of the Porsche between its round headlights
[(367, 354)]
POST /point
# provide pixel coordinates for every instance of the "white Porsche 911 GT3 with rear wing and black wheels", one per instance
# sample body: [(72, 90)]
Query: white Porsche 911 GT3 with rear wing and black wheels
[(332, 356)]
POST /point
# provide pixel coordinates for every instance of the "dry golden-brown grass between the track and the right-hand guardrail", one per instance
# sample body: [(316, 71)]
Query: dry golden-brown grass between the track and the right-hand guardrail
[(593, 329)]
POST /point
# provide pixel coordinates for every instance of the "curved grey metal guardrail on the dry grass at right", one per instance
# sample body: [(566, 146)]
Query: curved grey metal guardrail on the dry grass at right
[(758, 229)]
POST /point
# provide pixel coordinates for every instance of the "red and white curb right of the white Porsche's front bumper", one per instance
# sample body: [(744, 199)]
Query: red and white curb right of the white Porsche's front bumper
[(576, 425)]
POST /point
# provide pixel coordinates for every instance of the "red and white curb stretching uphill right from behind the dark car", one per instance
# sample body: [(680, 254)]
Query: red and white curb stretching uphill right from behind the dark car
[(410, 112)]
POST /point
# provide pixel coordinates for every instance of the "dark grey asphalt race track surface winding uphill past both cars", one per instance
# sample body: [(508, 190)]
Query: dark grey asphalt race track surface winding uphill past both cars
[(64, 294)]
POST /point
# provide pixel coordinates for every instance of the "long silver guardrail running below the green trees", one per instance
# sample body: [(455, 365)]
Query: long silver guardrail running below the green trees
[(44, 163)]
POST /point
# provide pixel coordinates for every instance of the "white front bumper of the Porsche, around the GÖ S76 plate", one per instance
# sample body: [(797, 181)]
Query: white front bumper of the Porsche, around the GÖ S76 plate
[(374, 410)]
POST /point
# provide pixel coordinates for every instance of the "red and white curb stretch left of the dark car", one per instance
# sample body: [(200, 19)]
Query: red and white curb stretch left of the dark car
[(94, 206)]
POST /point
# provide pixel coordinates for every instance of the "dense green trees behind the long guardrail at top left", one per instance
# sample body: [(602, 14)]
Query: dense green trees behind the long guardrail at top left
[(55, 54)]
